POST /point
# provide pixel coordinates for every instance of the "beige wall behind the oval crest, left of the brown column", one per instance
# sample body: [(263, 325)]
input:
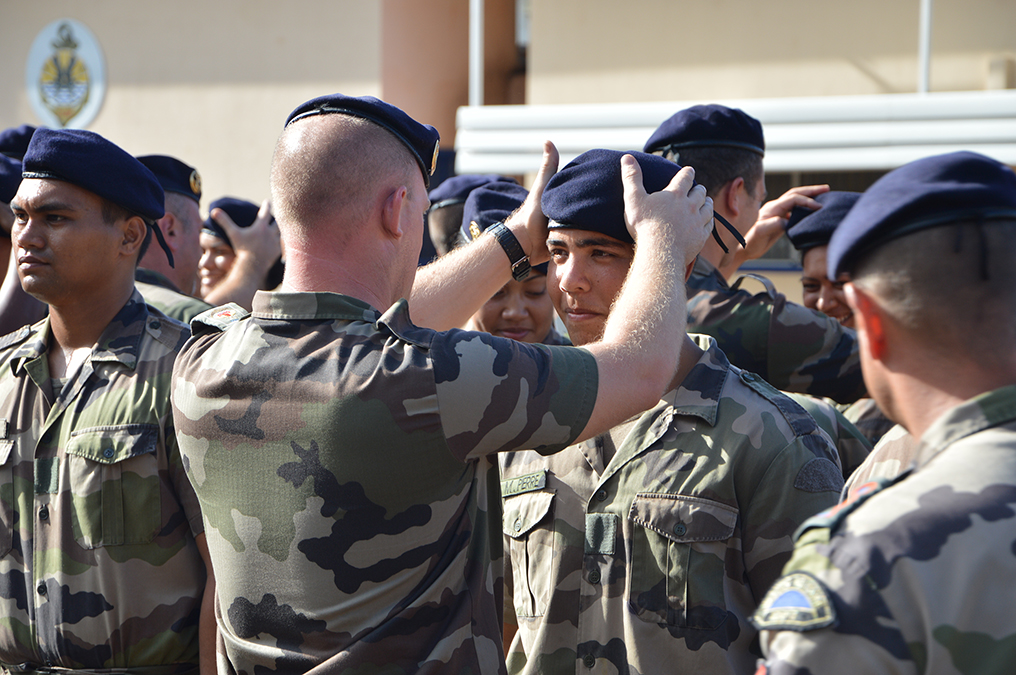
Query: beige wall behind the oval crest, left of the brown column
[(210, 83)]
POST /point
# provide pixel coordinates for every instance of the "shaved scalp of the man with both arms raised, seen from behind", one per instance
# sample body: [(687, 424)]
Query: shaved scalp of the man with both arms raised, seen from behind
[(334, 170)]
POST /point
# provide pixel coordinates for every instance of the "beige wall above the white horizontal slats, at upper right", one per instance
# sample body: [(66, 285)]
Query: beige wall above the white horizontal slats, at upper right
[(596, 51)]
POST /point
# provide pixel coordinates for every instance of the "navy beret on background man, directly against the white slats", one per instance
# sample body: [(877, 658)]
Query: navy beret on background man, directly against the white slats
[(702, 127)]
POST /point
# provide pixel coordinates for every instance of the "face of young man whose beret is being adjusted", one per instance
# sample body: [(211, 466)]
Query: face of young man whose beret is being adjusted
[(586, 276)]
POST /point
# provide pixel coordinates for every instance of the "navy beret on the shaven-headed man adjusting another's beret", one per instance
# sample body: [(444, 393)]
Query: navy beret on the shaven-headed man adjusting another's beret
[(422, 140)]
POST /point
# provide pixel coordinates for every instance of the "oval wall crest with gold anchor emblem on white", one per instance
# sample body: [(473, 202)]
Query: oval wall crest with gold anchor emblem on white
[(66, 76)]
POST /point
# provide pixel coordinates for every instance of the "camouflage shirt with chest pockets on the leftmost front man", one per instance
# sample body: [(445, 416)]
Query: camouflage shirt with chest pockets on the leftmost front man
[(99, 568)]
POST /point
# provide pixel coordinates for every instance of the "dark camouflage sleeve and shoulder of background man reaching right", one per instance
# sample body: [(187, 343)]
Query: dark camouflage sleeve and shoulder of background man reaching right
[(793, 348)]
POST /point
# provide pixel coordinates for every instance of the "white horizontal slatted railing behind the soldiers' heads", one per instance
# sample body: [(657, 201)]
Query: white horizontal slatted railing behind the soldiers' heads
[(823, 134)]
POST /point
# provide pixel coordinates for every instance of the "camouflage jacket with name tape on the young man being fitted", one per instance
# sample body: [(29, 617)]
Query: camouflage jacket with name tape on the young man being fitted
[(656, 561)]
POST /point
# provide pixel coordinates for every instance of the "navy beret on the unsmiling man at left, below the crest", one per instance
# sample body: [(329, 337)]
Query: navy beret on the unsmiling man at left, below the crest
[(91, 162)]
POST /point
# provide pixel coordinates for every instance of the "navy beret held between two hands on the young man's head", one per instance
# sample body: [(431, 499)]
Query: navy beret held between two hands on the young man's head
[(589, 193)]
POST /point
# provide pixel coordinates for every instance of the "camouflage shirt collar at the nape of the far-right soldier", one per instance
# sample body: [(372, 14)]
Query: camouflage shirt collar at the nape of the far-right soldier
[(983, 412)]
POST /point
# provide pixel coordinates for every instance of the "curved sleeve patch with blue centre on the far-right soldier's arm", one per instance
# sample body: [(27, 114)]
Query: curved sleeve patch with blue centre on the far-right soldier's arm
[(796, 602)]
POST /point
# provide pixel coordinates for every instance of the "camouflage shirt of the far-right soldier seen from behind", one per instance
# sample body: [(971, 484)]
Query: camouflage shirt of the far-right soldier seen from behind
[(915, 578)]
